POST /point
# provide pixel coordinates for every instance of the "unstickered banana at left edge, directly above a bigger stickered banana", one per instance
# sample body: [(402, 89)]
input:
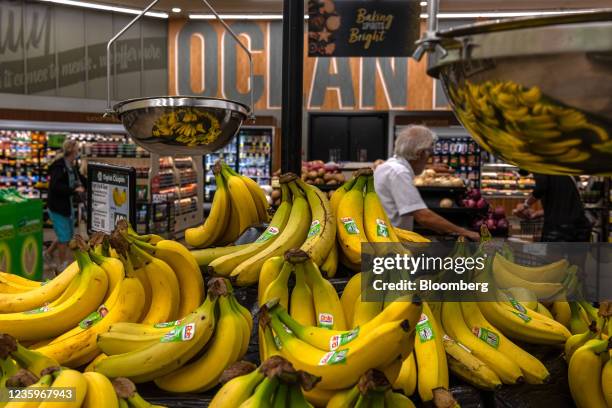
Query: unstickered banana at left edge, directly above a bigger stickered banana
[(37, 297)]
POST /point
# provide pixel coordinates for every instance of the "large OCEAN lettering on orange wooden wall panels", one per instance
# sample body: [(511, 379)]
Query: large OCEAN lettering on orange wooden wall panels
[(204, 61)]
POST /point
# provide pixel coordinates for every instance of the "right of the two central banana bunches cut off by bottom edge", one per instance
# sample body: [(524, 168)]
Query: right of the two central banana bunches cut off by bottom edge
[(374, 390)]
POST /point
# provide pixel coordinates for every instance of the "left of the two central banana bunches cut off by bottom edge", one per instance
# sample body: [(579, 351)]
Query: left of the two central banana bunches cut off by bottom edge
[(276, 383)]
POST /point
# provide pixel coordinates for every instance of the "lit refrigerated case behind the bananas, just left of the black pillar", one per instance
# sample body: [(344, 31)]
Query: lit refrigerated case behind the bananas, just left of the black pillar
[(249, 153)]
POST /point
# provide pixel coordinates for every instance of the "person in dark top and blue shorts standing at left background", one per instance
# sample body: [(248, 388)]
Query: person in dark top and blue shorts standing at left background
[(65, 182)]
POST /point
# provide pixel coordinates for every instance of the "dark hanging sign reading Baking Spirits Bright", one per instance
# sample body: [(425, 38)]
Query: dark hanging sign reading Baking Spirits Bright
[(345, 28)]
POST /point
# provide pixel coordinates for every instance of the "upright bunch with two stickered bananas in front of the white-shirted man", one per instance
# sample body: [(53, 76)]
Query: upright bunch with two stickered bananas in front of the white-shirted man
[(361, 218)]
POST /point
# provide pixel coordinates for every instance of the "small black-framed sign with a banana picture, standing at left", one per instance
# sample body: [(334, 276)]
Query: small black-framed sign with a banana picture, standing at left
[(111, 195)]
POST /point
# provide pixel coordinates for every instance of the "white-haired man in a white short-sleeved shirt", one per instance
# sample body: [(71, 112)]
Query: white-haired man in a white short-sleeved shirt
[(394, 183)]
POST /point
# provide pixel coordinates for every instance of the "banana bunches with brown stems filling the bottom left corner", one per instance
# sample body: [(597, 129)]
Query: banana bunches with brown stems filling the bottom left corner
[(32, 372)]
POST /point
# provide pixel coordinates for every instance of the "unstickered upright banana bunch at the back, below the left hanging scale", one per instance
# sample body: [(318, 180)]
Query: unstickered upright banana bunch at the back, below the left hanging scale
[(238, 203)]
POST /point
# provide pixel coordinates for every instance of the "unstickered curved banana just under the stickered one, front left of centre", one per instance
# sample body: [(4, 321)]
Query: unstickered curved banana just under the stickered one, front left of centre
[(224, 349)]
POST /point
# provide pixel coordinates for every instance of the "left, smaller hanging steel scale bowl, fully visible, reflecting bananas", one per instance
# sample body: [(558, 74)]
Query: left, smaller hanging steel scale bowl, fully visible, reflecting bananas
[(180, 125)]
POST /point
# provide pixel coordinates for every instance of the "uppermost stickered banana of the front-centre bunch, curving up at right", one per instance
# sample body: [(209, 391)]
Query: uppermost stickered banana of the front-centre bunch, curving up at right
[(330, 340)]
